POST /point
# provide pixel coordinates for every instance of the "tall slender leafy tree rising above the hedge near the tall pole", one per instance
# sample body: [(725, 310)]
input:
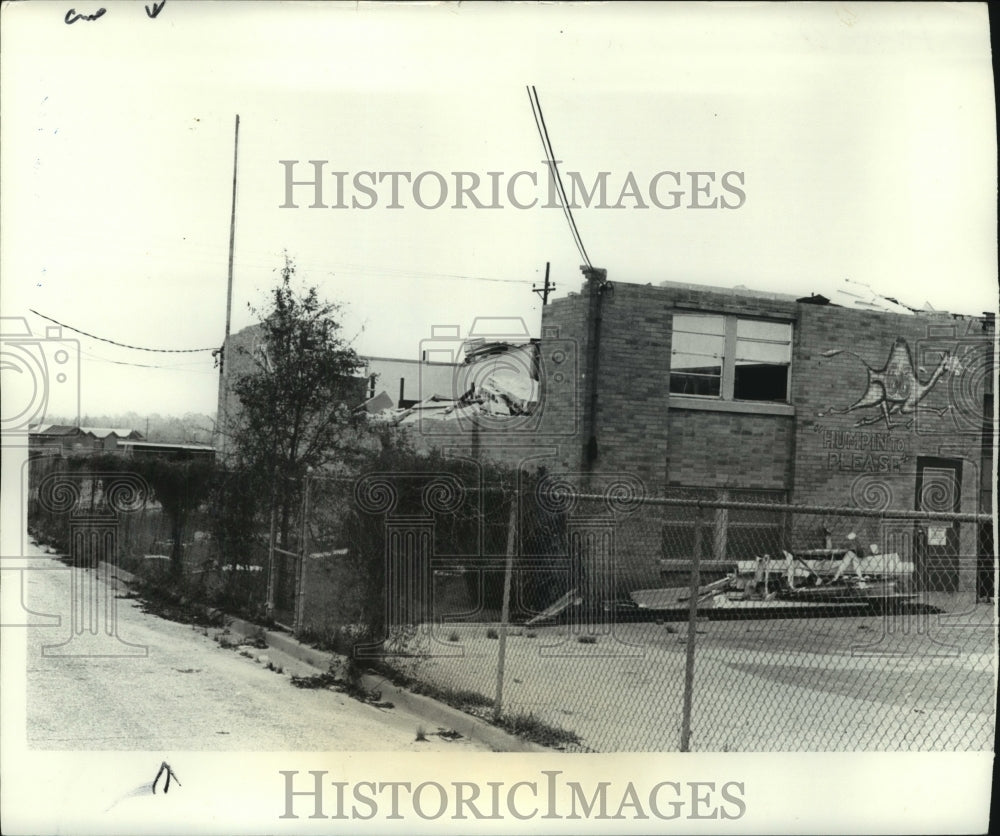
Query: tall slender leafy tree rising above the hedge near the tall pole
[(295, 403)]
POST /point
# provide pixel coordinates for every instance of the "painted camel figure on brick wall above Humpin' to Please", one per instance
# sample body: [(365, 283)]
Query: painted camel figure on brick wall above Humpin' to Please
[(895, 389)]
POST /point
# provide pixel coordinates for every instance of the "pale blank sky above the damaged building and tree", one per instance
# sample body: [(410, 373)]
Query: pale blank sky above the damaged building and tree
[(861, 139)]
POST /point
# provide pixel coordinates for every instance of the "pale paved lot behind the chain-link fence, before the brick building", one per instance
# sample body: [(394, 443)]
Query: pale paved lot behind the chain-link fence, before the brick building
[(912, 681)]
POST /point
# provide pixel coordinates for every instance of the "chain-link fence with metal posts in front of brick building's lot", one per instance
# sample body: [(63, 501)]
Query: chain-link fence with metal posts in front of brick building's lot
[(618, 622)]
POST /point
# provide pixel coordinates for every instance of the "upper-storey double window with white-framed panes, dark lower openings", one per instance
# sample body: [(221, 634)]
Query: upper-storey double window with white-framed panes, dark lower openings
[(730, 358)]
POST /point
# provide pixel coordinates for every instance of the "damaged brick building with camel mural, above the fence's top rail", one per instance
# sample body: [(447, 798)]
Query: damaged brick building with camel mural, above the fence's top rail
[(723, 393)]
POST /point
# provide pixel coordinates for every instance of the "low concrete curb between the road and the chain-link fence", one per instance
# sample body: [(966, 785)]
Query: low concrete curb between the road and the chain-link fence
[(434, 712)]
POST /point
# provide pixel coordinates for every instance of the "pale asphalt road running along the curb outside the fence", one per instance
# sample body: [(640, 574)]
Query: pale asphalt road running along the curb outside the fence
[(188, 692)]
